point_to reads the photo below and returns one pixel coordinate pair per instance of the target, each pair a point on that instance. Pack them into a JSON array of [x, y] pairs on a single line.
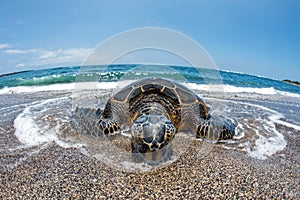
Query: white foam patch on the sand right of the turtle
[[269, 140]]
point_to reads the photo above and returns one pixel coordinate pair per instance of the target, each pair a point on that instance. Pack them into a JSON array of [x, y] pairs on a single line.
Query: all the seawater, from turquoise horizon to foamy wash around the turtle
[[37, 107]]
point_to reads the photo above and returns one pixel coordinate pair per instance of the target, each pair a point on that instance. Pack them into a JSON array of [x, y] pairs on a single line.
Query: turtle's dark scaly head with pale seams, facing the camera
[[151, 132]]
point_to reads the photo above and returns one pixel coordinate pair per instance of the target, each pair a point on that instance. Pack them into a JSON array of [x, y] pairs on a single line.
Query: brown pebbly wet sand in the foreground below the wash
[[60, 173]]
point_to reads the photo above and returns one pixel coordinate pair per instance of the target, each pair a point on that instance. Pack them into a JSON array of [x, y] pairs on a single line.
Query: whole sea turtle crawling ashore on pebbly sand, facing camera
[[155, 109]]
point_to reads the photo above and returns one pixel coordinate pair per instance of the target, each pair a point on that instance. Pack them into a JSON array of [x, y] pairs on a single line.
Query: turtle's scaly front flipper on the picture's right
[[215, 128]]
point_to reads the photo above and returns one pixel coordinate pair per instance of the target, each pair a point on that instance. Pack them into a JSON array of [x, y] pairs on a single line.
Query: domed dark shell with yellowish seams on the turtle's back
[[175, 92]]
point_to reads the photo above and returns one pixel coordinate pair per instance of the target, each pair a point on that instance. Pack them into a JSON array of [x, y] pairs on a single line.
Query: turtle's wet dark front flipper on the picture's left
[[90, 121]]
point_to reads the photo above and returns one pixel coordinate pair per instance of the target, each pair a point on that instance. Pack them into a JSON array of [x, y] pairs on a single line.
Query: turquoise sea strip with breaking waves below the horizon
[[115, 73]]
